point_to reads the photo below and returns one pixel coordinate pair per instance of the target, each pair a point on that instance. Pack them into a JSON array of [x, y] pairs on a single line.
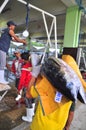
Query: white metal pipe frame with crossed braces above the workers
[[48, 32]]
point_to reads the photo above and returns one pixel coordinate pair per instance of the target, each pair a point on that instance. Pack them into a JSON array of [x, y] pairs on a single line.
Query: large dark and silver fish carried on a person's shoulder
[[64, 79]]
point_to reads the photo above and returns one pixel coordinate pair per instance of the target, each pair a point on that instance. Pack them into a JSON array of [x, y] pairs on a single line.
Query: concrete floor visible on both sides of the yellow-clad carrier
[[11, 113]]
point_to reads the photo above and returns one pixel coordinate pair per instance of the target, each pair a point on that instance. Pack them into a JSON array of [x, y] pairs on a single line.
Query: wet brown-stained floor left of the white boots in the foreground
[[10, 111]]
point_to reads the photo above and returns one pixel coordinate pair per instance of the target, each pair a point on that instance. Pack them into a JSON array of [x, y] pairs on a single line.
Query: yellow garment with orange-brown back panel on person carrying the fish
[[49, 114]]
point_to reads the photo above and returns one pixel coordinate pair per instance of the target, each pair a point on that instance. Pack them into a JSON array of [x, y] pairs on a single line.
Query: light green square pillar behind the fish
[[72, 27]]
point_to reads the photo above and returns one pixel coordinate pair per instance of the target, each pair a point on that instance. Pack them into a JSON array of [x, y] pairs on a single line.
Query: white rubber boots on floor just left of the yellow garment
[[29, 115]]
